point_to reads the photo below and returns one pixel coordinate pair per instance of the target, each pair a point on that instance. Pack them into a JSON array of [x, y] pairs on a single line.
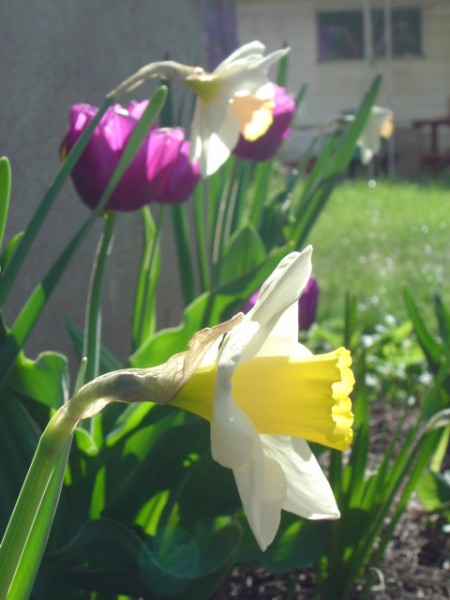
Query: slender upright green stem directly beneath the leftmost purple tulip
[[92, 339]]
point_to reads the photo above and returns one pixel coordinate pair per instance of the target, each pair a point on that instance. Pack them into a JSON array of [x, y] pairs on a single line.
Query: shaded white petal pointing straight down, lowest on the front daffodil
[[262, 488]]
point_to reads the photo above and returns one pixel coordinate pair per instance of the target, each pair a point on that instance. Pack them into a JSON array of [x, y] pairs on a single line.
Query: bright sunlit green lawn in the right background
[[375, 240]]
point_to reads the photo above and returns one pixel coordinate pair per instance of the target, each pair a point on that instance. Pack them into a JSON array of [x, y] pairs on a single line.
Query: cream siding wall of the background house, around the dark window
[[414, 87]]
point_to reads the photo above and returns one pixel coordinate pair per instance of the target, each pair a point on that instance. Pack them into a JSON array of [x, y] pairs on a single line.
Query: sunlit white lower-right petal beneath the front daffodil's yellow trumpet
[[308, 494]]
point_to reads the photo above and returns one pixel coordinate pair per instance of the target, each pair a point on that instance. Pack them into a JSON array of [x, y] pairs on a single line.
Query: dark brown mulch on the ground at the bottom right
[[416, 565]]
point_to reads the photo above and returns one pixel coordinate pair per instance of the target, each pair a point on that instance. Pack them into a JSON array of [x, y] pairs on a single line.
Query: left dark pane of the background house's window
[[340, 35]]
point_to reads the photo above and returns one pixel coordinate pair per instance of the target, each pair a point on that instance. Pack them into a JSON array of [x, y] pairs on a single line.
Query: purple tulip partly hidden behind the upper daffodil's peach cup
[[267, 145]]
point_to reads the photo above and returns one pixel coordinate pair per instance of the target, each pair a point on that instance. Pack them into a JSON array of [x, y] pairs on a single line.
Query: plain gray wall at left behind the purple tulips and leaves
[[54, 53]]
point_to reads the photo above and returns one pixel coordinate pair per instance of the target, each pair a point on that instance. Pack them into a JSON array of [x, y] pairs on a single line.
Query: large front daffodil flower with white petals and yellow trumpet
[[265, 394]]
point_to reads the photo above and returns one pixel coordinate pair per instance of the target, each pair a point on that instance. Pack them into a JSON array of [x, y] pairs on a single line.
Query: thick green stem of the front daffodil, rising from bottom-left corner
[[53, 441]]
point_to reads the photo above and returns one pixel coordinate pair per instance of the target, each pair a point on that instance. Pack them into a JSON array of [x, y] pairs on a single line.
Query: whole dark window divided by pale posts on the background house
[[340, 34]]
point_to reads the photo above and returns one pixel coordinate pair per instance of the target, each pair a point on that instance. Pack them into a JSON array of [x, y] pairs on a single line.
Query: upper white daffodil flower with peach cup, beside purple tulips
[[236, 98]]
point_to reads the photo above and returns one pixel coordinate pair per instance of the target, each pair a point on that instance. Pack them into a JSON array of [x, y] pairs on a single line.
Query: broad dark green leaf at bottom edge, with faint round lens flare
[[106, 557]]
